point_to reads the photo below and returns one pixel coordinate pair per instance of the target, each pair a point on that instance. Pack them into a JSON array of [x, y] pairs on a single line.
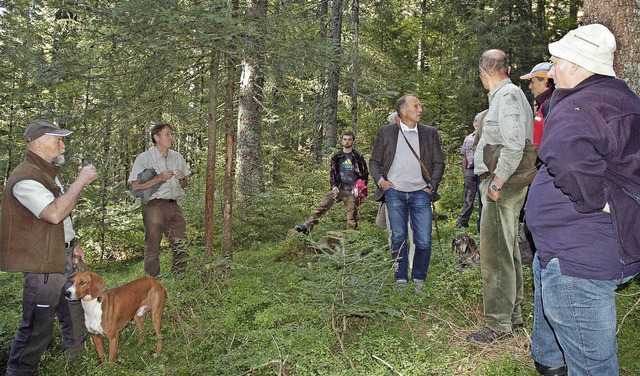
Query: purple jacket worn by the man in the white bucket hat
[[591, 155]]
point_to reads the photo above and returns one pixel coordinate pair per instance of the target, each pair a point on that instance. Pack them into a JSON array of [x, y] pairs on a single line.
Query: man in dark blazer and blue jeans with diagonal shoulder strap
[[407, 164]]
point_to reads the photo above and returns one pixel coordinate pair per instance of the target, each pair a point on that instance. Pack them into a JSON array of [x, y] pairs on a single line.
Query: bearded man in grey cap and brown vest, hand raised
[[37, 238]]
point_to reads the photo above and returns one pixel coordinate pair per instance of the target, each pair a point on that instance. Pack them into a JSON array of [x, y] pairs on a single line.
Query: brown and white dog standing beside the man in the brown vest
[[106, 312]]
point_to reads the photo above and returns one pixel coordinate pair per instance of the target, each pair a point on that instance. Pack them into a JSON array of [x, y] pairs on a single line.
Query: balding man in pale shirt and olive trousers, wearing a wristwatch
[[507, 130]]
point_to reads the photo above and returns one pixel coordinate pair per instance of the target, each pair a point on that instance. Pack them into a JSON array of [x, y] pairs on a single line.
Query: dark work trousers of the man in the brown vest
[[42, 299]]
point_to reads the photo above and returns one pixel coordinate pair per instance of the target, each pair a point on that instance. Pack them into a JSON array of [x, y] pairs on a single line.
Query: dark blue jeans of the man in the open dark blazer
[[401, 207]]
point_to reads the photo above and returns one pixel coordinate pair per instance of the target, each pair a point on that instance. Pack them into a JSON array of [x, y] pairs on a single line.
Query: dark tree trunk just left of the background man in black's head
[[334, 78]]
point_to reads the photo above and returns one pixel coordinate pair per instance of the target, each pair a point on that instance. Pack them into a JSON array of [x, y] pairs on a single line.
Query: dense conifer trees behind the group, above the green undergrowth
[[255, 89]]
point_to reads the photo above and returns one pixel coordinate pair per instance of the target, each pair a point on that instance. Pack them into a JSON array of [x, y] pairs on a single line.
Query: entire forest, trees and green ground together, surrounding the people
[[258, 92]]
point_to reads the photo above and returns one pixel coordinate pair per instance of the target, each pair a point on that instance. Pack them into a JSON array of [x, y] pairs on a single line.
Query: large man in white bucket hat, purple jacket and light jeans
[[584, 207]]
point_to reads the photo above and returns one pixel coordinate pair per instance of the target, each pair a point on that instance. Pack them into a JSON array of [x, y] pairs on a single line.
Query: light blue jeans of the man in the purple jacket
[[574, 321]]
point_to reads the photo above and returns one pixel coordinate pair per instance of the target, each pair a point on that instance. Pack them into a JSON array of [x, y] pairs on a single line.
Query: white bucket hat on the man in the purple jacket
[[590, 46]]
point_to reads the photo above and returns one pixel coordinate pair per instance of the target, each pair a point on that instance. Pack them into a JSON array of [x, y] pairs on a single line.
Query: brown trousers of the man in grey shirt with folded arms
[[163, 217]]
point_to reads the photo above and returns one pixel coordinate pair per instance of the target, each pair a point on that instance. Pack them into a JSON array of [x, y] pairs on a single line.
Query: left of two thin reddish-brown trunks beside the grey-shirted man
[[210, 199]]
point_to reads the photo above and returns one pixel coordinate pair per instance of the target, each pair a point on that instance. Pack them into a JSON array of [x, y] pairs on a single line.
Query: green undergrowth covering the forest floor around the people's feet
[[325, 304]]
